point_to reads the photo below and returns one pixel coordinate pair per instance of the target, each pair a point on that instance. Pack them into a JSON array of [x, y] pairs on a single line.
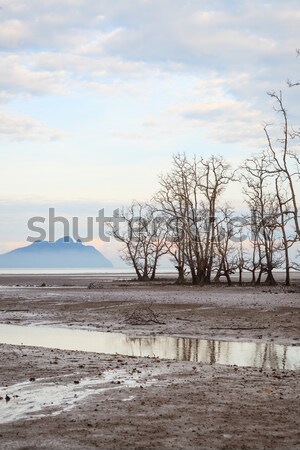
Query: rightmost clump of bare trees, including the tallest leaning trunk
[[270, 179]]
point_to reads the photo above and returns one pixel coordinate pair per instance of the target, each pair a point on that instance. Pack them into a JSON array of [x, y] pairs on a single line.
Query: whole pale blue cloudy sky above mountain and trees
[[96, 96]]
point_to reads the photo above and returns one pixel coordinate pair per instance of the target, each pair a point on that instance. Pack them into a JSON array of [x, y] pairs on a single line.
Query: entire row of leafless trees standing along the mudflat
[[189, 220]]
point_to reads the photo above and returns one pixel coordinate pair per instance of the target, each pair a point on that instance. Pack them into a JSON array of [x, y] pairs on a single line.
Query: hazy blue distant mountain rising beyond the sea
[[64, 253]]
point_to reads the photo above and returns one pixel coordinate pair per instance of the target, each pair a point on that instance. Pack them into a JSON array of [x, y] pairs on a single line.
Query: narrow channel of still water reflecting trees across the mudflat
[[243, 354]]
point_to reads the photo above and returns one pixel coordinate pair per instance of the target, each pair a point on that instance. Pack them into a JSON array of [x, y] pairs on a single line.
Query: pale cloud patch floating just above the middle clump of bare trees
[[223, 116]]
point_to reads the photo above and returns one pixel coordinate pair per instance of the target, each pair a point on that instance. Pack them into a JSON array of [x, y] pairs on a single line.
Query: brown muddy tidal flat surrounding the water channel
[[80, 400]]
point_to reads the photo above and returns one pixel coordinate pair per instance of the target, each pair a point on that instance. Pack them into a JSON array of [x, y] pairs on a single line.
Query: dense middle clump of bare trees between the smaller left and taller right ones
[[189, 199]]
